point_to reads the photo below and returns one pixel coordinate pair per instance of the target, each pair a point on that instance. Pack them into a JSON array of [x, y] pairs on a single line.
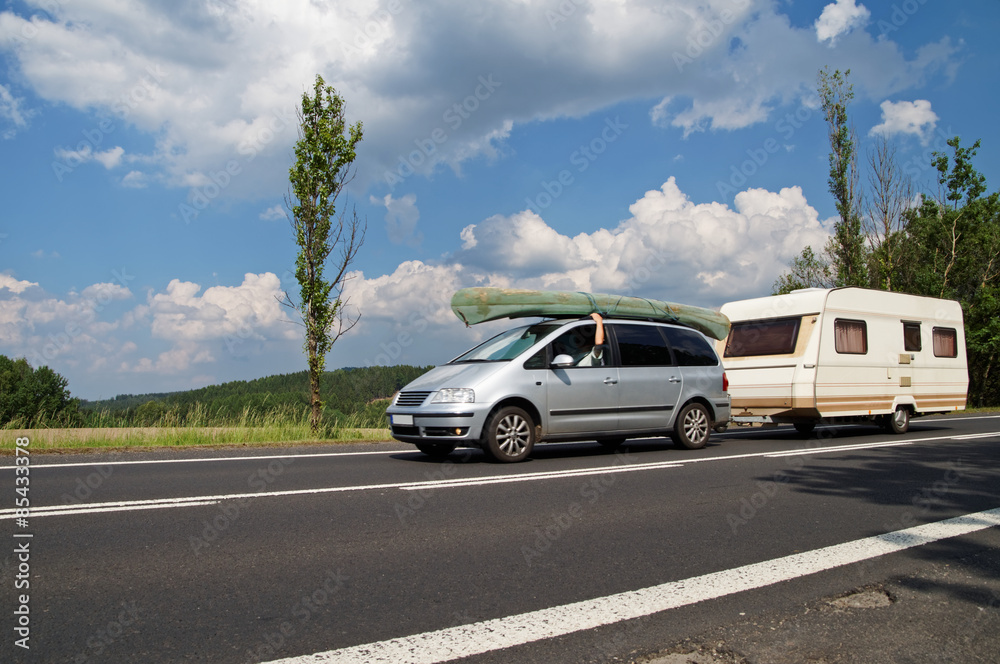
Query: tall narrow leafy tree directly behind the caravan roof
[[847, 251]]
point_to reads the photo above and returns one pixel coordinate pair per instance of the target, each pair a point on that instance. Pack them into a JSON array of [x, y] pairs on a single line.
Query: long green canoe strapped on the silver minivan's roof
[[478, 305]]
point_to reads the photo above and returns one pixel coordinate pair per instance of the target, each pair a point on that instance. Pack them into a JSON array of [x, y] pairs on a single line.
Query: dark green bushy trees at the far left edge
[[34, 397]]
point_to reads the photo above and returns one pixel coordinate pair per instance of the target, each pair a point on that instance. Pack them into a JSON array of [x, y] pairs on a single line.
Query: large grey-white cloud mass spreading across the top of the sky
[[213, 85]]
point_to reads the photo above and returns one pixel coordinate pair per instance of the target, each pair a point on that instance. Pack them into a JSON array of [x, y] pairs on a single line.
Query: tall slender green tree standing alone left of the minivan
[[324, 153]]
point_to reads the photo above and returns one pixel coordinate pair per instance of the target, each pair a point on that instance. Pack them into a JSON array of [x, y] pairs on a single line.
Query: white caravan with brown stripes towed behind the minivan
[[844, 353]]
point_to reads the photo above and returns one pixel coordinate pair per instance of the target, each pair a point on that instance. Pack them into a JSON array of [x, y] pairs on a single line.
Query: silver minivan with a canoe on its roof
[[549, 381]]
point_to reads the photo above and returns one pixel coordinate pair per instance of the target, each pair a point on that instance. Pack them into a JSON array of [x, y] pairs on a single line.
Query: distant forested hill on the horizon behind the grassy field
[[344, 392]]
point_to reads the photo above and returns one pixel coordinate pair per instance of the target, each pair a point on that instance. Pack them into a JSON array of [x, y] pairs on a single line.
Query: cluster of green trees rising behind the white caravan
[[945, 245]]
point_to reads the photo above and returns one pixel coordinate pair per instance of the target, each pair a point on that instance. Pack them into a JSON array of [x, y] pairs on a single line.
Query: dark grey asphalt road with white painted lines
[[249, 555]]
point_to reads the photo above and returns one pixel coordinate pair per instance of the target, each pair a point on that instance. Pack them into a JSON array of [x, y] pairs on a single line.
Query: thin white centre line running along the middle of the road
[[423, 485]]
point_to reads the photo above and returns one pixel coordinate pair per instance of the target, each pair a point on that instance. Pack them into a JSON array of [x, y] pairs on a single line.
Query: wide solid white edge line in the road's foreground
[[491, 635]]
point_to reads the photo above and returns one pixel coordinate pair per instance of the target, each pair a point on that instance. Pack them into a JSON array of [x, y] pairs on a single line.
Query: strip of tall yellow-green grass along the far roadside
[[139, 438]]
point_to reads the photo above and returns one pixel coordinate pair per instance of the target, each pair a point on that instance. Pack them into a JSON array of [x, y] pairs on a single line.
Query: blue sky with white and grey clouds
[[672, 149]]
